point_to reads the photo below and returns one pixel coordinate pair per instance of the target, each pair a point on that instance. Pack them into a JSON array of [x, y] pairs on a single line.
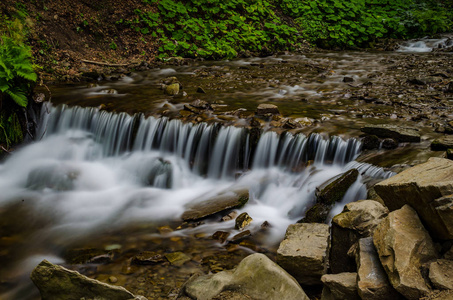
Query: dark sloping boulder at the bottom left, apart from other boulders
[[55, 283]]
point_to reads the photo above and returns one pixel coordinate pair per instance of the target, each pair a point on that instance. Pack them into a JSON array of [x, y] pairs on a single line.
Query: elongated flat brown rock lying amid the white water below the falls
[[224, 201]]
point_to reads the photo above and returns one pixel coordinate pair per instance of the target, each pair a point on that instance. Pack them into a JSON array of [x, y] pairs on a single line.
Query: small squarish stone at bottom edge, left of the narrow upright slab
[[341, 286]]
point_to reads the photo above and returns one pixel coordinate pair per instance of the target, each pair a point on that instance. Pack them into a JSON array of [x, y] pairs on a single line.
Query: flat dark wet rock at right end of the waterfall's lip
[[398, 133]]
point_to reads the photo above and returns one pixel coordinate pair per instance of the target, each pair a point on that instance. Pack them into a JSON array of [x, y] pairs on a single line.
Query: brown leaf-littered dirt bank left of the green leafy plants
[[64, 34]]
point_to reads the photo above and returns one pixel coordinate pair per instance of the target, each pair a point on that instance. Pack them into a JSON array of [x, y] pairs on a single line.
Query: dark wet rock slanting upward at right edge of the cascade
[[327, 194]]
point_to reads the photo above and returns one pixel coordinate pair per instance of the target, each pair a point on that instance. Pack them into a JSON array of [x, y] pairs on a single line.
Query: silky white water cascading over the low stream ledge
[[94, 170]]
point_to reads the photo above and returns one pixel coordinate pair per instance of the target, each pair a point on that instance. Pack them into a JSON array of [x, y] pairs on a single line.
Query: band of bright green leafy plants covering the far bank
[[222, 29]]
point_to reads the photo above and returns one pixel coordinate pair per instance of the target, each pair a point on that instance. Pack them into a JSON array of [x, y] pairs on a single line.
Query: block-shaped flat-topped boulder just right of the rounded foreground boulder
[[303, 252]]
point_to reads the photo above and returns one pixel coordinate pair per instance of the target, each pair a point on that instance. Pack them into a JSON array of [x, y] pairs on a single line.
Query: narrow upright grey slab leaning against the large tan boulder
[[372, 281]]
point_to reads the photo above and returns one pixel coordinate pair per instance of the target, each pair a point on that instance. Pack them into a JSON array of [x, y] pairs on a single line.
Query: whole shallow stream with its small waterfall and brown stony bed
[[116, 164]]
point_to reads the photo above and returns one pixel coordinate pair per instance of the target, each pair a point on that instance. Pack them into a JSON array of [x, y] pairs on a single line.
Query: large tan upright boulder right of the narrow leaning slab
[[404, 245]]
